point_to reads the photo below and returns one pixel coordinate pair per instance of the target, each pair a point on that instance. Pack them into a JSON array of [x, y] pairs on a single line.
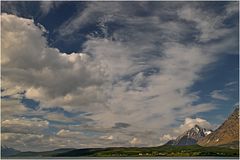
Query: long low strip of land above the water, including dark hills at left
[[165, 151]]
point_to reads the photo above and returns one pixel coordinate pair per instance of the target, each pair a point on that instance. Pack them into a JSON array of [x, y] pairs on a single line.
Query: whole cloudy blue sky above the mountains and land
[[110, 74]]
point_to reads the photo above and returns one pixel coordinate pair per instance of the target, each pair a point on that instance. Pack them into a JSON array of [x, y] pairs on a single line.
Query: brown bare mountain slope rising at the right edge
[[227, 135]]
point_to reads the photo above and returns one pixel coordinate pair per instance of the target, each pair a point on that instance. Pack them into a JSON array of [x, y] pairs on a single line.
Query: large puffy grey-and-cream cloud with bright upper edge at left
[[47, 75]]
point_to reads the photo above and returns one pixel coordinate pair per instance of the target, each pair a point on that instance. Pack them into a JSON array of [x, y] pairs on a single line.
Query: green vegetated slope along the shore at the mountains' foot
[[169, 151]]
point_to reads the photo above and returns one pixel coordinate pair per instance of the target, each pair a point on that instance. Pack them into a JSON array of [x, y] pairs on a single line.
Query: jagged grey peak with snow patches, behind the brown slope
[[190, 137]]
